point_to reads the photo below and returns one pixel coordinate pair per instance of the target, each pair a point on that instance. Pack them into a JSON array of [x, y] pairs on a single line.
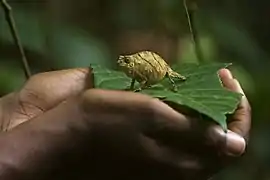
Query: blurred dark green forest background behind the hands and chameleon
[[59, 34]]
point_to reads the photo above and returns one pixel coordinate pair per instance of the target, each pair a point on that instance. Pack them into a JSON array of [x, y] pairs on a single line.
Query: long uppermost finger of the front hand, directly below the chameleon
[[162, 116]]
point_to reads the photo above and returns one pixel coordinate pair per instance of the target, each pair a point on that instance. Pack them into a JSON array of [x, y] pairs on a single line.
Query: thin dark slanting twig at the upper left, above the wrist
[[10, 20]]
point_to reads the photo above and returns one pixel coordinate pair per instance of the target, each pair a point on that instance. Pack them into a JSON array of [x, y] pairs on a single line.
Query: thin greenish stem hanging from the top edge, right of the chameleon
[[194, 35]]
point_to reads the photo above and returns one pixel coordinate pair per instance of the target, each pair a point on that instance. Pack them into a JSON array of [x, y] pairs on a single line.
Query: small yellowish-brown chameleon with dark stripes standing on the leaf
[[146, 67]]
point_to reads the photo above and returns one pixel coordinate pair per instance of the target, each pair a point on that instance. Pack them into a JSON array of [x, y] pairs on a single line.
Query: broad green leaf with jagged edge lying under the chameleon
[[202, 91]]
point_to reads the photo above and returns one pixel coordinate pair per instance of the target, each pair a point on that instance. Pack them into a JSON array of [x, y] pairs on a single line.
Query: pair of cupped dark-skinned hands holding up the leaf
[[58, 127]]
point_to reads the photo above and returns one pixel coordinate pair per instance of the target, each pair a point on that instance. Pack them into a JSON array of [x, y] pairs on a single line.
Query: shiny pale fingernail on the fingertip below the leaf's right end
[[235, 145]]
